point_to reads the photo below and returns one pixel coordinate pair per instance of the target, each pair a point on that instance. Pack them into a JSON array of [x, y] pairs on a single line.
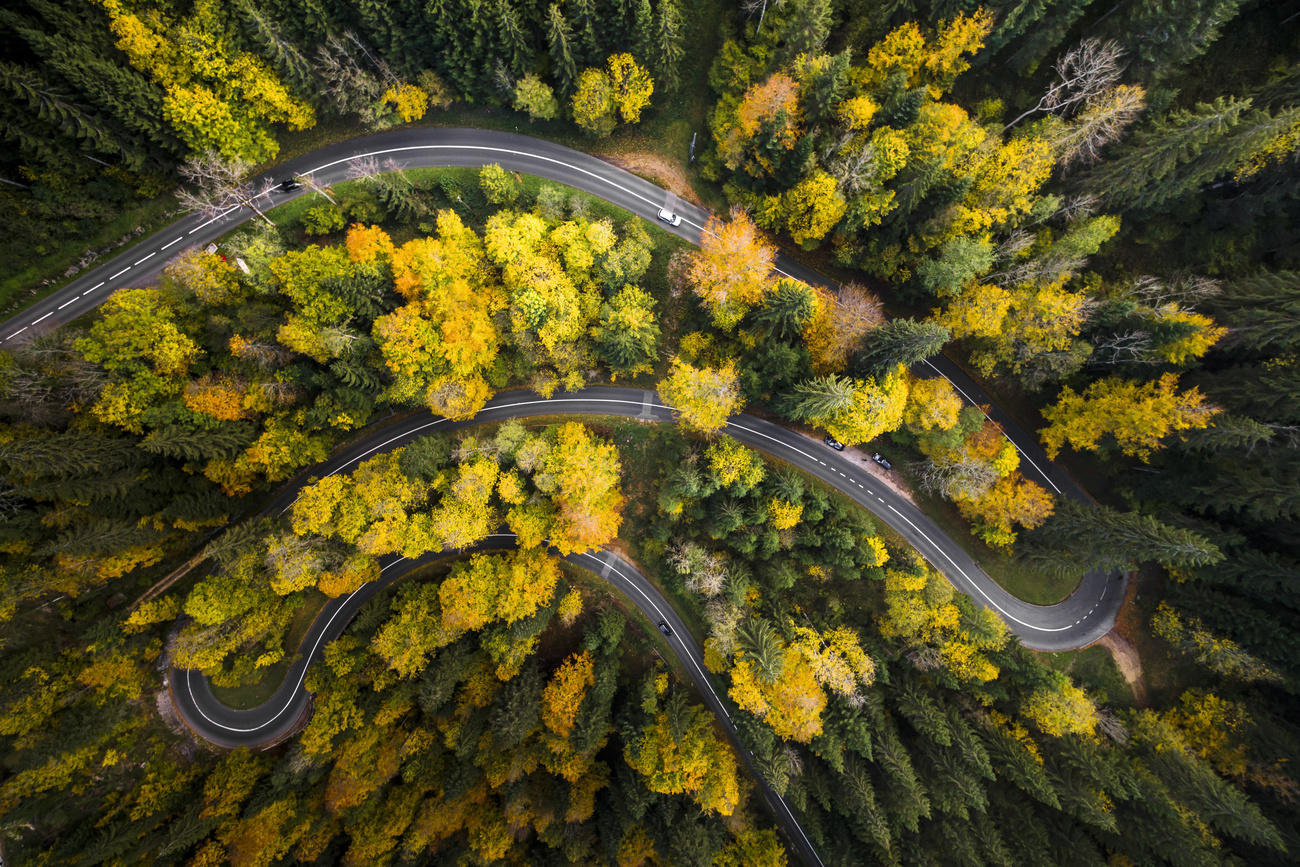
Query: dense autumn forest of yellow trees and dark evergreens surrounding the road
[[1093, 207]]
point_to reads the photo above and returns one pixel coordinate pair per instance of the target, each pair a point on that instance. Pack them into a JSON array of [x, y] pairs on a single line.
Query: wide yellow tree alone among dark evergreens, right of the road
[[1138, 415]]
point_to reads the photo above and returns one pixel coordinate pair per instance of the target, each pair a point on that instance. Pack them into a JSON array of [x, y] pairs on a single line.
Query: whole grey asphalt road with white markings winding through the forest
[[1085, 617]]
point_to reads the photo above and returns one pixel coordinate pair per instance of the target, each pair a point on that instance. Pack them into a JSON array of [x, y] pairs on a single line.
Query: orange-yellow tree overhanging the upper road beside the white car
[[733, 268]]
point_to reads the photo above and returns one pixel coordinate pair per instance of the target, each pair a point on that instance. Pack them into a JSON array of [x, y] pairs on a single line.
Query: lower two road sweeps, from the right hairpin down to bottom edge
[[1080, 621]]
